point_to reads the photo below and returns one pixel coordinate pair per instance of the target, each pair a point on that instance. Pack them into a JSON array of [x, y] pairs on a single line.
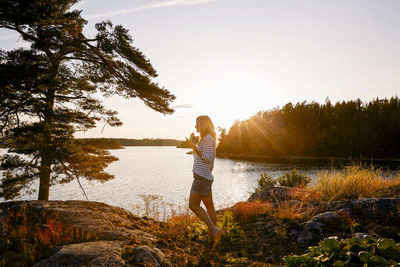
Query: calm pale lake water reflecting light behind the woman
[[166, 172]]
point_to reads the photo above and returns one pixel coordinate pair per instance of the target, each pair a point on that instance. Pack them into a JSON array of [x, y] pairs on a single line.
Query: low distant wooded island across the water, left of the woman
[[118, 143]]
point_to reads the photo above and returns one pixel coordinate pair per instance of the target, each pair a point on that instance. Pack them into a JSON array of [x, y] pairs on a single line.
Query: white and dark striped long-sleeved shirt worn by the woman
[[204, 165]]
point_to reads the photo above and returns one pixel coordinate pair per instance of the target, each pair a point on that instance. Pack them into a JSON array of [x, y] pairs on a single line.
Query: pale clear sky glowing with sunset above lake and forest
[[230, 59]]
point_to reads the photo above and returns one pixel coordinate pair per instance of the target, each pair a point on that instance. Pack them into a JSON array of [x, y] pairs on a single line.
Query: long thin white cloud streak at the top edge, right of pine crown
[[153, 5]]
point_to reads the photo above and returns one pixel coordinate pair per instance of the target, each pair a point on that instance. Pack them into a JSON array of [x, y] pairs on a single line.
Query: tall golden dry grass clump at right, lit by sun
[[354, 182]]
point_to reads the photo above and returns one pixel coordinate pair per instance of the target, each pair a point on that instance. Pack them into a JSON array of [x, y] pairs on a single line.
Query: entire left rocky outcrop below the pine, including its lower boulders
[[110, 230]]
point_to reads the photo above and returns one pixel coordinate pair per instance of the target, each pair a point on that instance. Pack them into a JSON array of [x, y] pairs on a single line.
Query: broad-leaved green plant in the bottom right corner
[[350, 252]]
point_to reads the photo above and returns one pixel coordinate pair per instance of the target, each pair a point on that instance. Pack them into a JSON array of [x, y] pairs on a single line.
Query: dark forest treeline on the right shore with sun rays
[[347, 129]]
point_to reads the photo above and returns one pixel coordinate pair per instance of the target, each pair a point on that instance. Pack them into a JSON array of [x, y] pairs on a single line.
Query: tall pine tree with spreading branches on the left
[[48, 93]]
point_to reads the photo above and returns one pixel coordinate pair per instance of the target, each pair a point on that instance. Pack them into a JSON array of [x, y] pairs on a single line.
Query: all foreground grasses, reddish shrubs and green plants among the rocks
[[255, 233]]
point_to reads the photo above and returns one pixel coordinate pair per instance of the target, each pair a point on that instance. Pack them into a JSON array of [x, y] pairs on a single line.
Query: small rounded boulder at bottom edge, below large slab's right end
[[146, 256]]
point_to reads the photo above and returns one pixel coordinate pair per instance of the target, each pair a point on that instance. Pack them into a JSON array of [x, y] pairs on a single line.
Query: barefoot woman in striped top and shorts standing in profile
[[204, 157]]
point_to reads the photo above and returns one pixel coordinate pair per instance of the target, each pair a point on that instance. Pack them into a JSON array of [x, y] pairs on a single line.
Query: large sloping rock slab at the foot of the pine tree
[[104, 221]]
